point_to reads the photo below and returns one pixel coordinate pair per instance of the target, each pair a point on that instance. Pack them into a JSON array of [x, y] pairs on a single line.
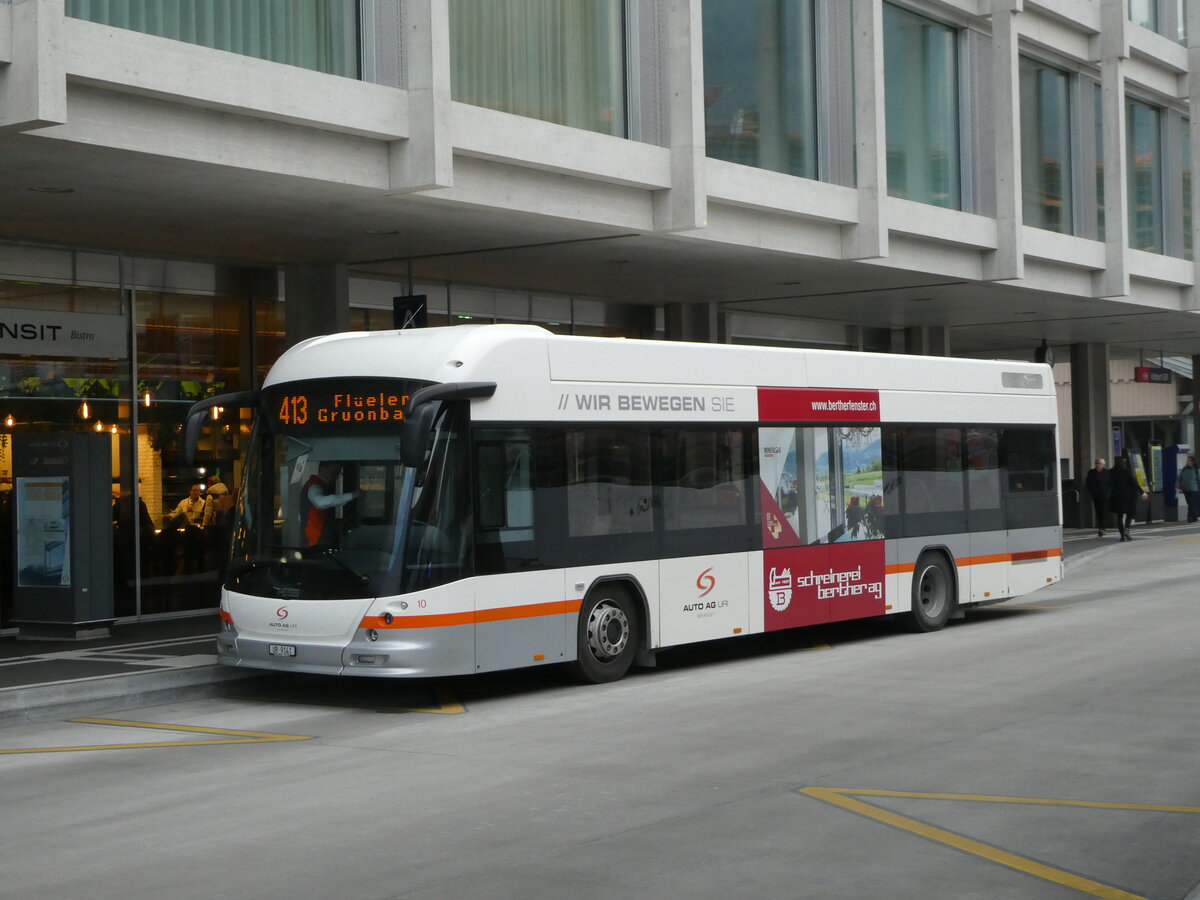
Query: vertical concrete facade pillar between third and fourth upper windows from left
[[868, 239]]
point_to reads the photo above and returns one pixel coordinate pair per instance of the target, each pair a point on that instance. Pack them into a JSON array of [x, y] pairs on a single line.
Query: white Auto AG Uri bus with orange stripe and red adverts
[[506, 497]]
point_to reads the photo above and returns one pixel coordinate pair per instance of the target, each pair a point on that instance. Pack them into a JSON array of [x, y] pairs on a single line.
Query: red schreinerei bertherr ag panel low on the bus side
[[829, 583]]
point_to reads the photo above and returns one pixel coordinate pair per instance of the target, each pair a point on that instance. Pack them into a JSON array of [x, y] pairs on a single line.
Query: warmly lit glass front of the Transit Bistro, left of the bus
[[124, 362]]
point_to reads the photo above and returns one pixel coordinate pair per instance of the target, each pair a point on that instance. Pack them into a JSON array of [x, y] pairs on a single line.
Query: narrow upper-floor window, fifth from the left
[[1046, 148]]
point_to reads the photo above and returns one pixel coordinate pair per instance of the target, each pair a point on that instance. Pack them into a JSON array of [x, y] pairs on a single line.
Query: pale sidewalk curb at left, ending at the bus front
[[116, 692]]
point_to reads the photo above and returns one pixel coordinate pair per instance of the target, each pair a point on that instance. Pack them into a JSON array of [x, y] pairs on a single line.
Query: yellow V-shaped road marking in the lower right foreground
[[843, 799]]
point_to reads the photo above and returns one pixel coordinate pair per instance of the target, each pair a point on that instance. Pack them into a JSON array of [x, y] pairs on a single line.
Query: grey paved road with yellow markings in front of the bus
[[1041, 749]]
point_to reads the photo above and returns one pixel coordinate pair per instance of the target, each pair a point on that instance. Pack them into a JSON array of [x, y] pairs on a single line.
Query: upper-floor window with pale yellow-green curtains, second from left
[[562, 63]]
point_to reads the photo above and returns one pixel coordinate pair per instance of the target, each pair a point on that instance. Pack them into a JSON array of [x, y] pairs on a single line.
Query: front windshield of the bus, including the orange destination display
[[331, 512]]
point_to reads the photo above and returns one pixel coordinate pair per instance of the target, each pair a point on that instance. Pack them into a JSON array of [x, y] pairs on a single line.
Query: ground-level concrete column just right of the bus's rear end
[[1093, 422]]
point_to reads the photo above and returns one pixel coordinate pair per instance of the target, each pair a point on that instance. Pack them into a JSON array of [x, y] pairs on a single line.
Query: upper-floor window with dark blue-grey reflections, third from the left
[[760, 85]]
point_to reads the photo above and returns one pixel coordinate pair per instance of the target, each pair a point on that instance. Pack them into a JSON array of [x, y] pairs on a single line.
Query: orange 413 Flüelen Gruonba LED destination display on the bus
[[331, 406]]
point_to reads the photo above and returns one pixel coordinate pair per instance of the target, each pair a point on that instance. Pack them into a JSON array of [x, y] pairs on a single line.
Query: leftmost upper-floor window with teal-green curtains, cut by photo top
[[322, 35]]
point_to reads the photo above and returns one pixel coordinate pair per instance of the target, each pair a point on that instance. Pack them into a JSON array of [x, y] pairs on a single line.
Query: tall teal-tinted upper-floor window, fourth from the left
[[921, 61]]
